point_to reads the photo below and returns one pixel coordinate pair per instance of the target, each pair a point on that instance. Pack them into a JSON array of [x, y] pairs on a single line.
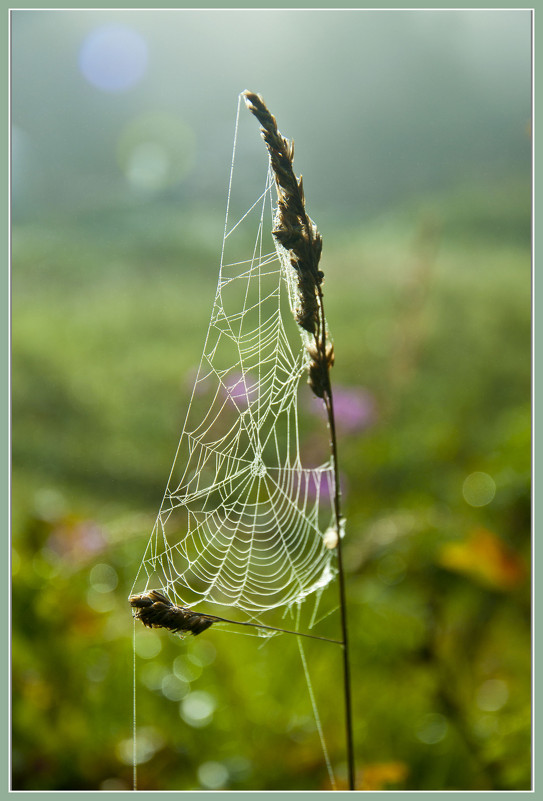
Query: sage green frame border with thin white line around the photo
[[5, 402]]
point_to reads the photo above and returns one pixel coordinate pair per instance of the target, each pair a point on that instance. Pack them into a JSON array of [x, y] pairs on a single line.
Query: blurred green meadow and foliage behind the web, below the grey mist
[[430, 311]]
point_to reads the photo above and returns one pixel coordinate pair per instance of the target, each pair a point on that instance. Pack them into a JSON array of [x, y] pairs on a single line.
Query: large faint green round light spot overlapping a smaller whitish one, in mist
[[155, 151]]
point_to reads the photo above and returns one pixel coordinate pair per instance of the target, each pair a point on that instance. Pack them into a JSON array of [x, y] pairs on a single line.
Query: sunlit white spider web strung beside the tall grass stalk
[[242, 520]]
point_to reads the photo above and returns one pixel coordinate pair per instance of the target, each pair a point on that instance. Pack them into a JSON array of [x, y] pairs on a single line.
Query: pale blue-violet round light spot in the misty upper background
[[113, 57]]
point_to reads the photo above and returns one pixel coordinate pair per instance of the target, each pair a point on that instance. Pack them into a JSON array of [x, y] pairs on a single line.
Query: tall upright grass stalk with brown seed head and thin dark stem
[[297, 235]]
